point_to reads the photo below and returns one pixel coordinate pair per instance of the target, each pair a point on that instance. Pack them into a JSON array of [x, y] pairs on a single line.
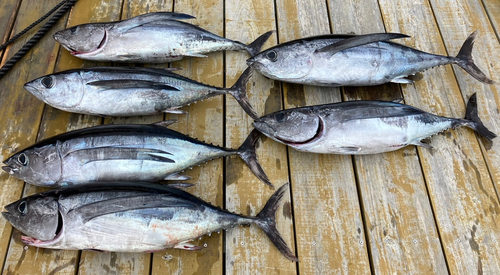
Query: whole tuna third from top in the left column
[[120, 153]]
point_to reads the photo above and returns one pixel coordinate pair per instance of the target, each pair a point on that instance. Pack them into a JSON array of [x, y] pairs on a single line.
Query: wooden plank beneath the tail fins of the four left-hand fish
[[248, 250]]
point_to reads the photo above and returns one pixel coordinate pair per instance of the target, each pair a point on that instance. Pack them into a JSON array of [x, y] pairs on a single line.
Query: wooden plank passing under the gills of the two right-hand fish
[[330, 233]]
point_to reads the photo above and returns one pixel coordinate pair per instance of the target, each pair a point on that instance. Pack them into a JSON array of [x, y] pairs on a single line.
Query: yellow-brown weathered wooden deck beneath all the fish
[[413, 211]]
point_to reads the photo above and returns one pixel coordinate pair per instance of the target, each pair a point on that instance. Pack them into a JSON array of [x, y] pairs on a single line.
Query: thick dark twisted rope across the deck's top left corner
[[41, 32]]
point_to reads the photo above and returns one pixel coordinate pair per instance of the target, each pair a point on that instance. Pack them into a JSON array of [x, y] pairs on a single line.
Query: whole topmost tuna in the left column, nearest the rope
[[149, 38]]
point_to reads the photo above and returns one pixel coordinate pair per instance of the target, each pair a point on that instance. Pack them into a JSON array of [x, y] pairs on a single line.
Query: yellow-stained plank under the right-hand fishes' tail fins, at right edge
[[471, 16]]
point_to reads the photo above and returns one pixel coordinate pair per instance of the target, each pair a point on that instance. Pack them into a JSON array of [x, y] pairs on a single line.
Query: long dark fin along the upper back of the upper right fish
[[359, 40]]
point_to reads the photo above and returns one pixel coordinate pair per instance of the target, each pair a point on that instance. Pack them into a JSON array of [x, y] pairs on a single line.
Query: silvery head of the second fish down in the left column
[[61, 90]]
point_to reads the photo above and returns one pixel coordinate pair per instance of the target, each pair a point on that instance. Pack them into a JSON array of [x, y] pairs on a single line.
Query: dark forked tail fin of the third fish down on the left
[[248, 155]]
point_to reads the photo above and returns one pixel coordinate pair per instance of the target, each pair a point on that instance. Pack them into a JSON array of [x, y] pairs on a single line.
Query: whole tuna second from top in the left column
[[128, 91]]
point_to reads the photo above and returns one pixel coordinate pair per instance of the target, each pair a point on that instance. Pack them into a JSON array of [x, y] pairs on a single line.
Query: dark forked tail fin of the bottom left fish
[[266, 220]]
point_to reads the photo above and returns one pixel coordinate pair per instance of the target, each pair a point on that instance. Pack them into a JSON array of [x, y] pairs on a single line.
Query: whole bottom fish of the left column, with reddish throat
[[129, 217]]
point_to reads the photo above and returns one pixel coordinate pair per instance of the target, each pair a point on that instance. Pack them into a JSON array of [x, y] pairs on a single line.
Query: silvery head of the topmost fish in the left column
[[83, 39]]
